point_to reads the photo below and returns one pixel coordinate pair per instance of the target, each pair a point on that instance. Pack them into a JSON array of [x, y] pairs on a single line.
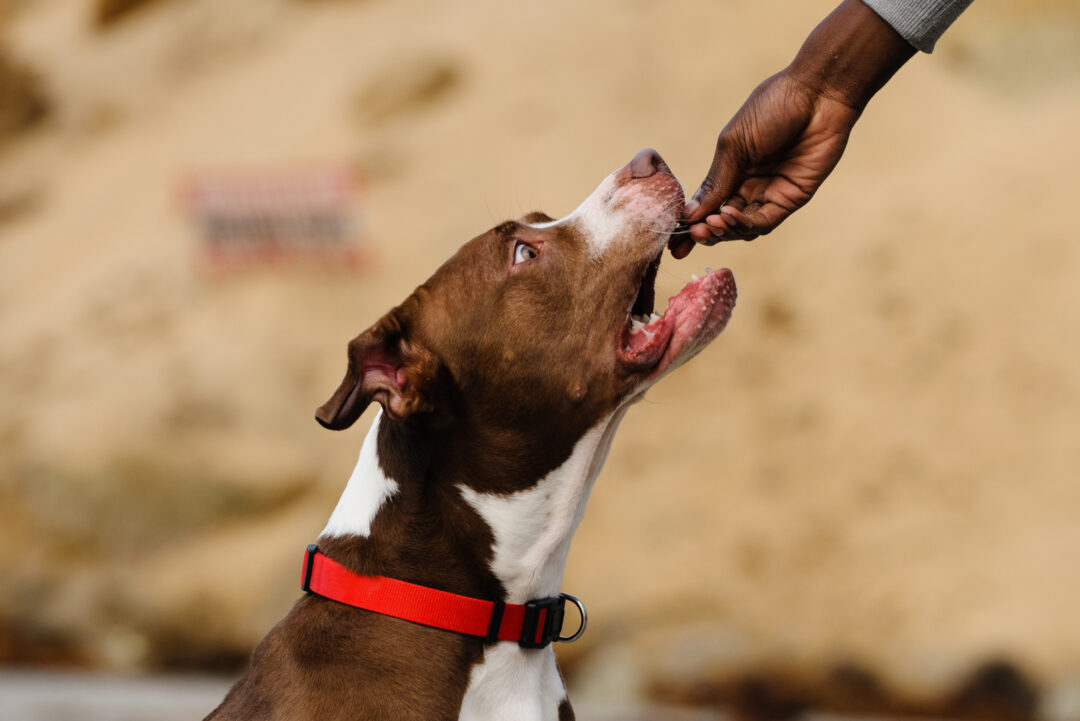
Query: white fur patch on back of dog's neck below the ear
[[368, 489]]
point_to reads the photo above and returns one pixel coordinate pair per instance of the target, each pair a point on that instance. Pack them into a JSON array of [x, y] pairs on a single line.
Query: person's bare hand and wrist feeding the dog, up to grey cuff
[[790, 134]]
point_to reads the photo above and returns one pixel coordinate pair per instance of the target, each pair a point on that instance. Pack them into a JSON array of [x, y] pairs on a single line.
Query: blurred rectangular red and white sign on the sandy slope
[[298, 217]]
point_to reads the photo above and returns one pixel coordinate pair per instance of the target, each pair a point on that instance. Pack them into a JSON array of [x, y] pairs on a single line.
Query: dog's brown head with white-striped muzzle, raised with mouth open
[[542, 327]]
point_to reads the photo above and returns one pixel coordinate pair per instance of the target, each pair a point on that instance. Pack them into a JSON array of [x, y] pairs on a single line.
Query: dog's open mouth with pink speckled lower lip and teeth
[[696, 316]]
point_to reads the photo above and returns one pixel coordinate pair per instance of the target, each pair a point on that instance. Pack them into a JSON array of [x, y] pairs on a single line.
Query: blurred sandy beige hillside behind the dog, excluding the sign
[[866, 496]]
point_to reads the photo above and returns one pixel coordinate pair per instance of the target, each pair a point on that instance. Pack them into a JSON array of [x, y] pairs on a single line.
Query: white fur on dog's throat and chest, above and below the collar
[[533, 530]]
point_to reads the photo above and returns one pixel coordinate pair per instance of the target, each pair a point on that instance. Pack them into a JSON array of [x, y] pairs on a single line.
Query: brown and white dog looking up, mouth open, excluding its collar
[[503, 380]]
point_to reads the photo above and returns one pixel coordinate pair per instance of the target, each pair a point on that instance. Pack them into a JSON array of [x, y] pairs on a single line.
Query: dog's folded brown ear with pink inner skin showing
[[386, 368]]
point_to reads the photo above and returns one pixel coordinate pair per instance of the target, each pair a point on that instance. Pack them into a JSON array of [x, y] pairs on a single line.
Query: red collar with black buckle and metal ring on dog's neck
[[533, 625]]
